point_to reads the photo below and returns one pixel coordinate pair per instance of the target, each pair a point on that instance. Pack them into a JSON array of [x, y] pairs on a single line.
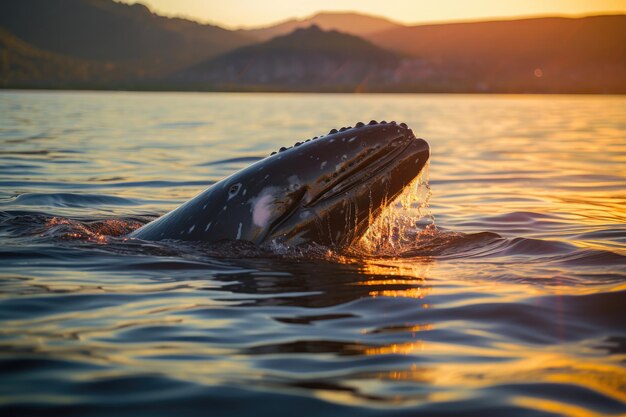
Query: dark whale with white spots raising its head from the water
[[326, 190]]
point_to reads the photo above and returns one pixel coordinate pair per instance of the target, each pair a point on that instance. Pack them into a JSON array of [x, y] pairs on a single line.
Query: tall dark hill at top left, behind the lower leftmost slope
[[106, 31]]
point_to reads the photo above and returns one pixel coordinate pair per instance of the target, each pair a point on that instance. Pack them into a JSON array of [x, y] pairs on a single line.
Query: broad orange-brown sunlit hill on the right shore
[[529, 55]]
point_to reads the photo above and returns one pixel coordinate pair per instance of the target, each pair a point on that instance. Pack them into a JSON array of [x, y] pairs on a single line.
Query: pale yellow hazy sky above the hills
[[247, 13]]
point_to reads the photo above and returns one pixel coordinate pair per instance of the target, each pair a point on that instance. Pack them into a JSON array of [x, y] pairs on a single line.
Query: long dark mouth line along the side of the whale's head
[[369, 168]]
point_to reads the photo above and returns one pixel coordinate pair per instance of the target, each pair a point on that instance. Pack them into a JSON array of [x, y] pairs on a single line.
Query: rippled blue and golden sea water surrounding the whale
[[508, 297]]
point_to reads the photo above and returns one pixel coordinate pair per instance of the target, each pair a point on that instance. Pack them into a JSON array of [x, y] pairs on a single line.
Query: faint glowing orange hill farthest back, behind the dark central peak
[[347, 22]]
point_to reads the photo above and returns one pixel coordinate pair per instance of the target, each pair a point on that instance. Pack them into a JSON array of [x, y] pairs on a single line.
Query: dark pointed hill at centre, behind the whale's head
[[305, 60]]
